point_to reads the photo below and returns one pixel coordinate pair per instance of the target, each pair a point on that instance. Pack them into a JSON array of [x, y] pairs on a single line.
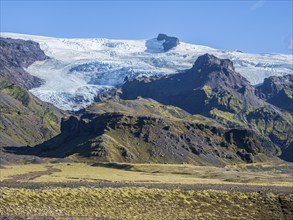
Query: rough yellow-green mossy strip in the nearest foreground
[[141, 203]]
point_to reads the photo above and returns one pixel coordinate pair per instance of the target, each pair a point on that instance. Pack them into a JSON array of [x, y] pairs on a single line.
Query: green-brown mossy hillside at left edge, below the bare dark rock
[[25, 120]]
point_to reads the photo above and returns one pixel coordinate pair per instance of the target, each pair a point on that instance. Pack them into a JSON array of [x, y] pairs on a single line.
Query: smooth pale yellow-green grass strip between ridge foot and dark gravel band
[[253, 174]]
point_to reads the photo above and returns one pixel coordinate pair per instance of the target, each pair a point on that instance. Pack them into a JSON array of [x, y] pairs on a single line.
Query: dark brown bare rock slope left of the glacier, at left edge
[[15, 55]]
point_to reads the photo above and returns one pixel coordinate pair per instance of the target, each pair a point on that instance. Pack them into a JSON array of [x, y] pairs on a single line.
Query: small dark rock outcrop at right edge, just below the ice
[[278, 90]]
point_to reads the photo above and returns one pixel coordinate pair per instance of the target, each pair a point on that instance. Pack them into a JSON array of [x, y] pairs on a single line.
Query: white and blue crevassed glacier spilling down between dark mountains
[[80, 68]]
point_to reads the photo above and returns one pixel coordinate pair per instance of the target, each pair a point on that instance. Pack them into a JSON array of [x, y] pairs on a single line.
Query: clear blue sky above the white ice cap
[[251, 26]]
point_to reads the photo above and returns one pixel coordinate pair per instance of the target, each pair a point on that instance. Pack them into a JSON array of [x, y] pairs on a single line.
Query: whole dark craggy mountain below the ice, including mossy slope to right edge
[[213, 88]]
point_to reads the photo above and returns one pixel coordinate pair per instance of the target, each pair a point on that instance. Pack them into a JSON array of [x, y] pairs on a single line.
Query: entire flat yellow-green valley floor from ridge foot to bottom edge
[[146, 191]]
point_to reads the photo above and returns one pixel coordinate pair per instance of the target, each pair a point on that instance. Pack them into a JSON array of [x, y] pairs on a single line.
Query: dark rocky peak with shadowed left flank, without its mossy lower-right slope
[[210, 83]]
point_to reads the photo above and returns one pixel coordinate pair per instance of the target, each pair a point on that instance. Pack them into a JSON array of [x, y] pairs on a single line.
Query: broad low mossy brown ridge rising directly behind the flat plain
[[157, 134]]
